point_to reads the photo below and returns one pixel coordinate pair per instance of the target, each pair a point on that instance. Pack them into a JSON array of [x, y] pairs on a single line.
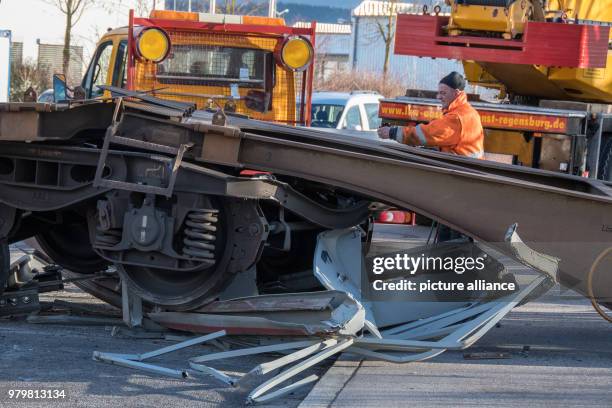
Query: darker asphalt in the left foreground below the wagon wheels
[[59, 357]]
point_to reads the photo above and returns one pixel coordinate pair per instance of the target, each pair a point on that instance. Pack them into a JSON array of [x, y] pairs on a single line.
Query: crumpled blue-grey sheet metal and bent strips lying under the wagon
[[324, 324]]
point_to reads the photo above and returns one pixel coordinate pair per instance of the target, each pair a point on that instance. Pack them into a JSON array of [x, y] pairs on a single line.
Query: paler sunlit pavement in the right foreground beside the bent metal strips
[[569, 363]]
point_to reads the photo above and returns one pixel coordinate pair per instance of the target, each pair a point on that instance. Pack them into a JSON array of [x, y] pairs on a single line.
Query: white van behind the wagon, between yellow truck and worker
[[357, 110]]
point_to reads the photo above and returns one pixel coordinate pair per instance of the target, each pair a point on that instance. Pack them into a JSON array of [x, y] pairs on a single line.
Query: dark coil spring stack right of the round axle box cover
[[200, 235]]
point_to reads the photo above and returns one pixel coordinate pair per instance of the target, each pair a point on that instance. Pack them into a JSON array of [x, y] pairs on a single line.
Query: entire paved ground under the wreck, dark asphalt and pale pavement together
[[569, 363]]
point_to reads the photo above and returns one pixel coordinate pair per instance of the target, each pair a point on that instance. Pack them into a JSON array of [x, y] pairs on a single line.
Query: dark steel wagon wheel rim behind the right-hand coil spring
[[229, 232]]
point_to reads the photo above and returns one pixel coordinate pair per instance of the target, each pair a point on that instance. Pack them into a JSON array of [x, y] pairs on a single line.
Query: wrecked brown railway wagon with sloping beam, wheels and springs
[[181, 201]]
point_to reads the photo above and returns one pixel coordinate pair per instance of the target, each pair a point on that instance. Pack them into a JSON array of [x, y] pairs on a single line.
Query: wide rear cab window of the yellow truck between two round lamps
[[214, 65]]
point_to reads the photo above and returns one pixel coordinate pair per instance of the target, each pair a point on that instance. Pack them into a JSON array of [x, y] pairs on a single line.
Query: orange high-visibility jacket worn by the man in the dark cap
[[459, 131]]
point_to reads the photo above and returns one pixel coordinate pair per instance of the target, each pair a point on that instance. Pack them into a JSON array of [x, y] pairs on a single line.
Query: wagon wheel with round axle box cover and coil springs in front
[[181, 252]]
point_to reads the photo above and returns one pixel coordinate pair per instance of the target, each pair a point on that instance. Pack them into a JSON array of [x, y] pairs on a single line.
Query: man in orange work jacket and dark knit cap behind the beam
[[458, 131]]
